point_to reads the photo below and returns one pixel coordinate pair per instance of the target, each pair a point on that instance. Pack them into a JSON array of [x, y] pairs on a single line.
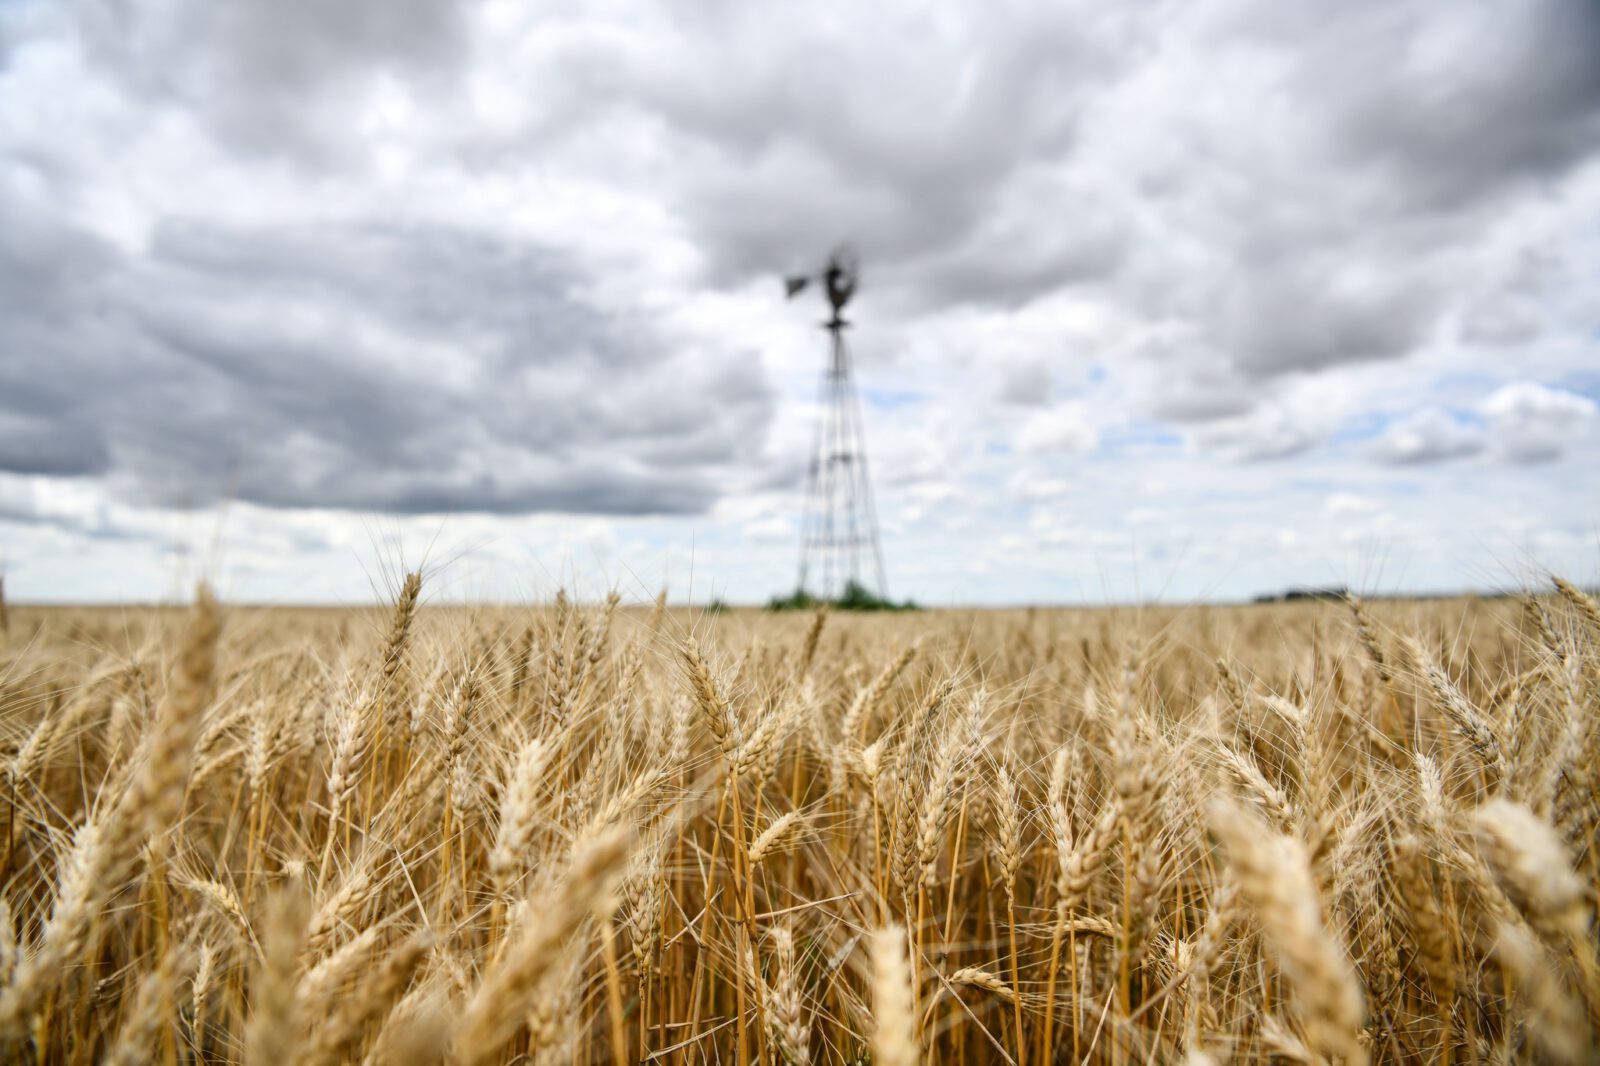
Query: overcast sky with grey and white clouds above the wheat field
[[1175, 300]]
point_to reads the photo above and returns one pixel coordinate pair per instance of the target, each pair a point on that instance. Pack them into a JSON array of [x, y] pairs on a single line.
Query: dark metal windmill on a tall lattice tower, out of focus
[[839, 534]]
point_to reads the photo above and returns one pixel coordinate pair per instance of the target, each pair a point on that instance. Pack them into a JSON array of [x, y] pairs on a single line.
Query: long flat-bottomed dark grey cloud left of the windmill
[[383, 367]]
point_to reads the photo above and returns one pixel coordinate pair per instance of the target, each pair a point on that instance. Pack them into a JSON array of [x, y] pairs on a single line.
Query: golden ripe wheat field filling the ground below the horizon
[[586, 833]]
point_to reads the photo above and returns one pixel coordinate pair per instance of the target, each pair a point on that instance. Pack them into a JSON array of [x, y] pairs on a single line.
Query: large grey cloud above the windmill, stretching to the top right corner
[[1335, 194]]
